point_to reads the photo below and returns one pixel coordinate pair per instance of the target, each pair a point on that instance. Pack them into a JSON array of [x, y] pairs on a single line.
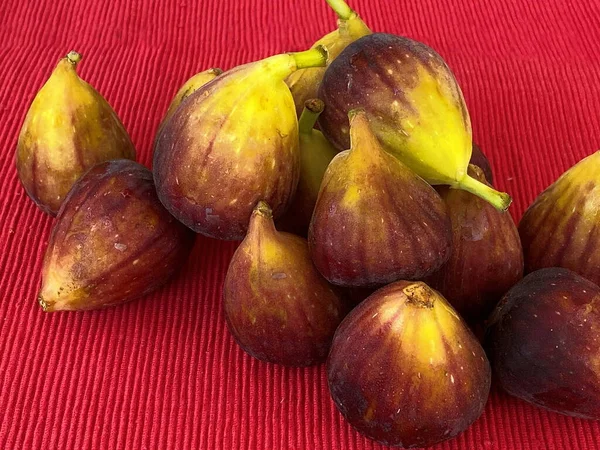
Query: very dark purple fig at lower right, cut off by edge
[[543, 342]]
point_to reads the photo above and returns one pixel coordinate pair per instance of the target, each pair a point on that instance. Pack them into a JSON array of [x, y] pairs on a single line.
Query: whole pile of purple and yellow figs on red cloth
[[372, 237]]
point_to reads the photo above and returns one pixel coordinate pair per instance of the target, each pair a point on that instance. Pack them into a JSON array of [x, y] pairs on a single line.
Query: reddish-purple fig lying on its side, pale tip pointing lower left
[[112, 241]]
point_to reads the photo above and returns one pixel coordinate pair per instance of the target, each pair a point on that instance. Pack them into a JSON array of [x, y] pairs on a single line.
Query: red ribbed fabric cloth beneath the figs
[[163, 372]]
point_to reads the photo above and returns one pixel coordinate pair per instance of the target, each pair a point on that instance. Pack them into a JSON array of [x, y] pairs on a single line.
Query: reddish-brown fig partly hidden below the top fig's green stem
[[486, 259]]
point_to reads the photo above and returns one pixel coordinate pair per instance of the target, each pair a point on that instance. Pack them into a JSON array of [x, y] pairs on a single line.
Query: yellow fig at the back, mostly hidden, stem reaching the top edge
[[304, 83]]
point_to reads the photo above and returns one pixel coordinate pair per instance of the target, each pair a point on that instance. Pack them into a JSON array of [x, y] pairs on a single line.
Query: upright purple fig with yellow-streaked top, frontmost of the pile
[[405, 370]]
